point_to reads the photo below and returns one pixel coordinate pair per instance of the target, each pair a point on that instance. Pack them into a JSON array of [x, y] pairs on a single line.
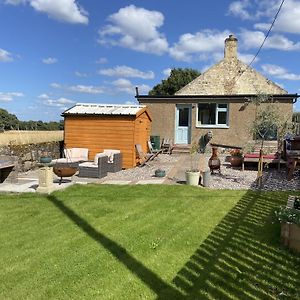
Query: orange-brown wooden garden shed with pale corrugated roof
[[102, 126]]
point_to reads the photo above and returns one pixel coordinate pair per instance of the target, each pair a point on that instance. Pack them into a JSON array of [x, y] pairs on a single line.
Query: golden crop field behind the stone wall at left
[[21, 137]]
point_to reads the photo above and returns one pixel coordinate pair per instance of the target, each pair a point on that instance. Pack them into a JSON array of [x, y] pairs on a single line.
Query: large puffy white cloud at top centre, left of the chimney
[[135, 28]]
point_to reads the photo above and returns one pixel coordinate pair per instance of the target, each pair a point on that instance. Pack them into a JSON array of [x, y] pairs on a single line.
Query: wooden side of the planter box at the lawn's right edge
[[290, 236]]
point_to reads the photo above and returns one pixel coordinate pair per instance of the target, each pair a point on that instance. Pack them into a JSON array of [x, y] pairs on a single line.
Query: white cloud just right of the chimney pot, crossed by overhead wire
[[253, 39]]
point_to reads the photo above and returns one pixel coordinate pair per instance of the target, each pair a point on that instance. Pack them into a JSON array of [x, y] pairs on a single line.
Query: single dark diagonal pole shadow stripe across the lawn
[[155, 283]]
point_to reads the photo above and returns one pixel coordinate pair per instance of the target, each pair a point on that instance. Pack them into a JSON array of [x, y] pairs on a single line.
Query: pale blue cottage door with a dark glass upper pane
[[183, 124]]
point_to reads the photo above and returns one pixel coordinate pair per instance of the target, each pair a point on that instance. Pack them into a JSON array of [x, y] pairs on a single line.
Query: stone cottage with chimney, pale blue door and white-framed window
[[219, 100]]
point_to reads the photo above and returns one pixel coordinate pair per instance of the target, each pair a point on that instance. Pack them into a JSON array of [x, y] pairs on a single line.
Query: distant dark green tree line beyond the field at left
[[10, 121]]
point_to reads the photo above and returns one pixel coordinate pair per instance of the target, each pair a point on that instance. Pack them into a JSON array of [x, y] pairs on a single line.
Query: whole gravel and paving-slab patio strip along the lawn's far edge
[[175, 166]]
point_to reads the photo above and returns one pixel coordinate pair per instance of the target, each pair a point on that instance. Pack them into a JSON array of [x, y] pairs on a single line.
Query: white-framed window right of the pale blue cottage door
[[212, 114]]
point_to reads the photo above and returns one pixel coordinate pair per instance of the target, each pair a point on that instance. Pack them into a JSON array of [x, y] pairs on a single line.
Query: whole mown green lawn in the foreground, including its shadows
[[144, 242]]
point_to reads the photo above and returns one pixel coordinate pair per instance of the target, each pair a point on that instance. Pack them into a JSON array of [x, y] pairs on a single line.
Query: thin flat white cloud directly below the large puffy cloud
[[125, 71]]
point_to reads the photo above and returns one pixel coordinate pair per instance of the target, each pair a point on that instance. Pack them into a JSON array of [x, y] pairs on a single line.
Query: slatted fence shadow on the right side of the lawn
[[242, 258]]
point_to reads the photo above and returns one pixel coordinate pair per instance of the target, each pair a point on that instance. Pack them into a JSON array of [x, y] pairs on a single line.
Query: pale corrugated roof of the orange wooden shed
[[104, 109]]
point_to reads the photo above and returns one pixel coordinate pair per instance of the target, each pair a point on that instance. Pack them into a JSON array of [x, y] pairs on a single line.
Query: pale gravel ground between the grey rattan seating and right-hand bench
[[229, 178]]
